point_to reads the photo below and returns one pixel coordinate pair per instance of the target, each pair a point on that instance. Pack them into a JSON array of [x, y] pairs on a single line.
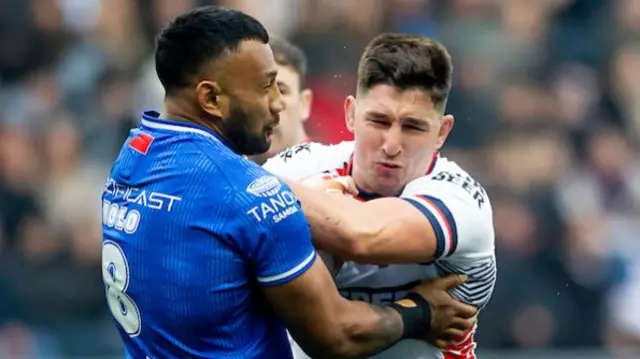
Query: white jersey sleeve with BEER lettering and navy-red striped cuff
[[459, 210]]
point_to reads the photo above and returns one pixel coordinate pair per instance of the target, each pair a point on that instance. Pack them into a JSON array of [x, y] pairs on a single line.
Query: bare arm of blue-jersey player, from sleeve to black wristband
[[326, 325]]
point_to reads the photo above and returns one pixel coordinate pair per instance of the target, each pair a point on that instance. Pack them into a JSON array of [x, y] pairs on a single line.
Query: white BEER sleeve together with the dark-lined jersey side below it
[[460, 213]]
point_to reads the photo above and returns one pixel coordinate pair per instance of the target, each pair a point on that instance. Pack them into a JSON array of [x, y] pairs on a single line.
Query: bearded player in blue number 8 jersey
[[207, 255]]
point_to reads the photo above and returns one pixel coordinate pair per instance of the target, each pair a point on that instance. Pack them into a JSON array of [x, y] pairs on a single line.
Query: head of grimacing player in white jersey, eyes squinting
[[397, 116]]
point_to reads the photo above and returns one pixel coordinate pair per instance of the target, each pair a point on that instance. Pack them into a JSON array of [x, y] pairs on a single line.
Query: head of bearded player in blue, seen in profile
[[216, 67]]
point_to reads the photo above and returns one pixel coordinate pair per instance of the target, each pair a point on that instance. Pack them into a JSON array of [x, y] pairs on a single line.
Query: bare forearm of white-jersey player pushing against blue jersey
[[382, 231]]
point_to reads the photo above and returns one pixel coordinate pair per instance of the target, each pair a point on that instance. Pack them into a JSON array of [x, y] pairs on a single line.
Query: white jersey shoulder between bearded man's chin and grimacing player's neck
[[310, 158]]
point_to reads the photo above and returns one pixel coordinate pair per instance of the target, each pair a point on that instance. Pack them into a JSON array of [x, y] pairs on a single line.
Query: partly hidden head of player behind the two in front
[[292, 69]]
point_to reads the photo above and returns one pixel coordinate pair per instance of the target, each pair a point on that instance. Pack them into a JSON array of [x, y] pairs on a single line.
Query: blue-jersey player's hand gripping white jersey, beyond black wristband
[[450, 318]]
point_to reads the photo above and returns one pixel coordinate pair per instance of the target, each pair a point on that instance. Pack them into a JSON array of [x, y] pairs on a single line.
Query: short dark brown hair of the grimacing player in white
[[407, 61]]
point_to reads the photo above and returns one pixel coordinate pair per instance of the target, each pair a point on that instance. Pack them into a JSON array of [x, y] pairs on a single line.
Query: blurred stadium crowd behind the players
[[547, 101]]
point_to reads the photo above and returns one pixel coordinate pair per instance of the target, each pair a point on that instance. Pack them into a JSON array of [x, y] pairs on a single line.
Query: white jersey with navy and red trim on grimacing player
[[460, 212]]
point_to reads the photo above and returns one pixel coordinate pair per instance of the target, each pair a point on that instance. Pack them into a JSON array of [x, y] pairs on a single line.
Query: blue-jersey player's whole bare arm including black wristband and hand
[[326, 325]]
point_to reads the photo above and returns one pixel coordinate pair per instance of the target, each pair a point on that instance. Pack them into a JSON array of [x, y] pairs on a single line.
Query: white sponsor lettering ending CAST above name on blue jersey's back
[[145, 198]]
